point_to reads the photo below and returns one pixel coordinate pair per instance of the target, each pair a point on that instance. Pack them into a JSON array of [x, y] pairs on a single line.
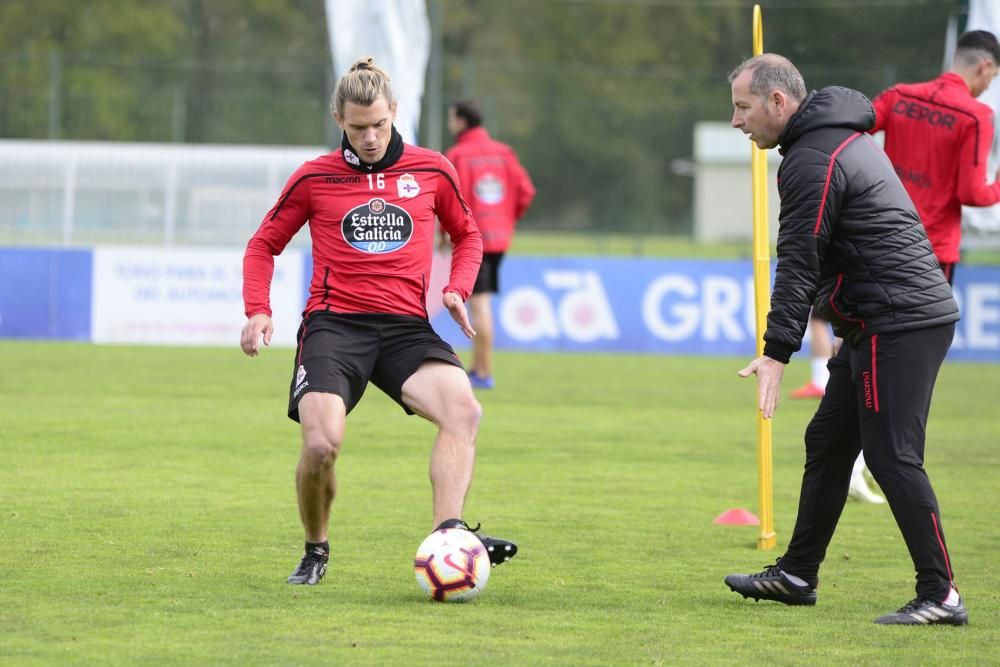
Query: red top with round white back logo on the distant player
[[494, 183]]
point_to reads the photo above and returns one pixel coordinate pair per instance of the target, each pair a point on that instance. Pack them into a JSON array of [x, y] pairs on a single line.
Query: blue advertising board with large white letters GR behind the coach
[[662, 306]]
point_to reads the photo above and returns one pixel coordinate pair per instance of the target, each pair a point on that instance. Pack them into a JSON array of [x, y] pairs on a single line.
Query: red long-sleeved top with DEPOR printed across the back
[[938, 138]]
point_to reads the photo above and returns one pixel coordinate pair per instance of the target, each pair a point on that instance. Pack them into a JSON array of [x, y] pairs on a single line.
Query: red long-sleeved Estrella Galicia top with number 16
[[372, 235]]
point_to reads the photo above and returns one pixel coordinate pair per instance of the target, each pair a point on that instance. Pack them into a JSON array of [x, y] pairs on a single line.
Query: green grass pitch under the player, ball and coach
[[147, 516]]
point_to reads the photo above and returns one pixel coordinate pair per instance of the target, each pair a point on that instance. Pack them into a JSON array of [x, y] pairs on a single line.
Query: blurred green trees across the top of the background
[[599, 97]]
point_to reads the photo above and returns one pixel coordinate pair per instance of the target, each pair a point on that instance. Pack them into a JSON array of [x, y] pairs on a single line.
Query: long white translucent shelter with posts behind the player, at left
[[84, 193]]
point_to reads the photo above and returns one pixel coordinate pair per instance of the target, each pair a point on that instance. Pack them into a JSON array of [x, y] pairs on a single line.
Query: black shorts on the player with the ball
[[339, 354]]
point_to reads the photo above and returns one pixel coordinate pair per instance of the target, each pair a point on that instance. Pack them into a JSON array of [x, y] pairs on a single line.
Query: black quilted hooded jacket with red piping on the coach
[[850, 242]]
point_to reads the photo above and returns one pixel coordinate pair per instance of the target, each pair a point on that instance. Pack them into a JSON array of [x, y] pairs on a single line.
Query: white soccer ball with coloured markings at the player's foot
[[452, 565]]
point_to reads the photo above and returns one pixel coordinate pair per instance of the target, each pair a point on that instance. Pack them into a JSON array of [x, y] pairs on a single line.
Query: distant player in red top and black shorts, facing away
[[499, 191]]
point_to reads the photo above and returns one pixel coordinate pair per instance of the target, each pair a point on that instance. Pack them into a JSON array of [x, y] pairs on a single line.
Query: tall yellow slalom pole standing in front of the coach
[[762, 304]]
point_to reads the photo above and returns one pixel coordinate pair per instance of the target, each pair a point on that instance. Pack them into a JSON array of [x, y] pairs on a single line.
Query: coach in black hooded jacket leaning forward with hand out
[[851, 245]]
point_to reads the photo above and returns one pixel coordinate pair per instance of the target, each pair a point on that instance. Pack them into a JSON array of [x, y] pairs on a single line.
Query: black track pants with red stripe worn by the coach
[[877, 399]]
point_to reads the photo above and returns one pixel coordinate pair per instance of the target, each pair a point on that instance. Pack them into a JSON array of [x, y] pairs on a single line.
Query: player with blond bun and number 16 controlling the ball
[[371, 208]]
